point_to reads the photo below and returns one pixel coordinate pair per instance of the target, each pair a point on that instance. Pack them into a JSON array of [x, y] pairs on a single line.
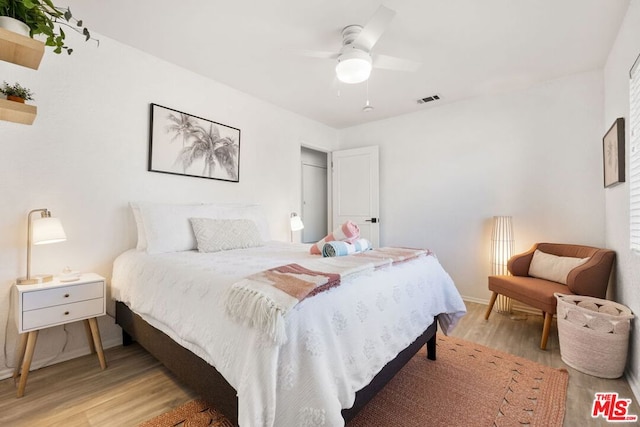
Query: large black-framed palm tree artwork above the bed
[[183, 144]]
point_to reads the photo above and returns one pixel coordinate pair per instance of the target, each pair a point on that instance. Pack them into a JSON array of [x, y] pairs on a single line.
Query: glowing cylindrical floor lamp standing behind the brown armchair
[[501, 251]]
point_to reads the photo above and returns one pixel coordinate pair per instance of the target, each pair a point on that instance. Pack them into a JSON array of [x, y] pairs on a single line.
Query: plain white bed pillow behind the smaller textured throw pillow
[[165, 227]]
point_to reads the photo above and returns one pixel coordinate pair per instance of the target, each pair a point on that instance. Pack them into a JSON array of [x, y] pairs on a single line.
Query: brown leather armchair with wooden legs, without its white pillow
[[590, 279]]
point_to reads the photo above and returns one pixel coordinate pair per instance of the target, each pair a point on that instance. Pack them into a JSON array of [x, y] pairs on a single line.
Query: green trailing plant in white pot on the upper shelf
[[43, 17]]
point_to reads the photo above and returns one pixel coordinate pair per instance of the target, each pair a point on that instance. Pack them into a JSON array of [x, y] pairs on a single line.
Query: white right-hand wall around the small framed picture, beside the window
[[616, 84]]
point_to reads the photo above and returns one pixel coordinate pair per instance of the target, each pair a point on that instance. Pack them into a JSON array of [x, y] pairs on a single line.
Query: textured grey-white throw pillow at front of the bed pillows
[[214, 235]]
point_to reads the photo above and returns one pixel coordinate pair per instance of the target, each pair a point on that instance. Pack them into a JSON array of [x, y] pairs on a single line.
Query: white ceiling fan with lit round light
[[355, 59]]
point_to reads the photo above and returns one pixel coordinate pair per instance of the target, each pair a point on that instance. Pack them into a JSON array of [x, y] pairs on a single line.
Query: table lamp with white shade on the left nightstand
[[41, 231]]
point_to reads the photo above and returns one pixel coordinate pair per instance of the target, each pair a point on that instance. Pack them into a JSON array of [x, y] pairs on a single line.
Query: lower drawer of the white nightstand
[[50, 316]]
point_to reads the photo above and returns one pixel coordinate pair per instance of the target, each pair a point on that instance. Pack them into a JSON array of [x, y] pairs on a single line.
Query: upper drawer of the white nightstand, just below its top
[[61, 295]]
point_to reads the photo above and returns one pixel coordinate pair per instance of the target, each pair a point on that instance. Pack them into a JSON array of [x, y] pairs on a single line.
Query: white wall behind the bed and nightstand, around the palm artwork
[[85, 158]]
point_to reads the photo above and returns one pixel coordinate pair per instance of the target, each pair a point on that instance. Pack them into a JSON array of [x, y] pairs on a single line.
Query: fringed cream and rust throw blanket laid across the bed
[[262, 300]]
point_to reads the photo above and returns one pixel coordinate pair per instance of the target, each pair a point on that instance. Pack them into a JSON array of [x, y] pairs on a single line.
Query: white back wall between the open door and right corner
[[533, 154]]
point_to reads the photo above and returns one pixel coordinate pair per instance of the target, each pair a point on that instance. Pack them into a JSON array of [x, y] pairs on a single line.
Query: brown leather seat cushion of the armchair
[[537, 293]]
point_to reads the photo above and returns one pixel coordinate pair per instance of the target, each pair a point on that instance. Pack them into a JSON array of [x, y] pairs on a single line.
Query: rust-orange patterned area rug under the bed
[[468, 384]]
